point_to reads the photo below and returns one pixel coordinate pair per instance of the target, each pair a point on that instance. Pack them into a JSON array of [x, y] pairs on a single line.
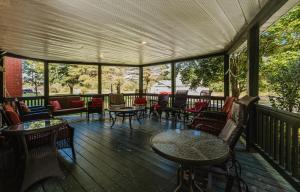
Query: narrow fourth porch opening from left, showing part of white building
[[157, 78]]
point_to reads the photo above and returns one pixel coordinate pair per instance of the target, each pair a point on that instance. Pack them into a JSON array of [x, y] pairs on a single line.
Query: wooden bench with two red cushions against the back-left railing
[[67, 104]]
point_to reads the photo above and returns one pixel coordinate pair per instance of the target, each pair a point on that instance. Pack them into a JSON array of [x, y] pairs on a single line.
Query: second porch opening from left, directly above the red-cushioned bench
[[73, 79]]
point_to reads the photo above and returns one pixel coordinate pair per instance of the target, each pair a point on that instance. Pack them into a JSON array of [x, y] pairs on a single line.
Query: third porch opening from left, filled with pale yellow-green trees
[[126, 79]]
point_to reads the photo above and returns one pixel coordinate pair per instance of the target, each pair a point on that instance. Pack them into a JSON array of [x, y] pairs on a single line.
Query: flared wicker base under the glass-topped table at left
[[39, 152]]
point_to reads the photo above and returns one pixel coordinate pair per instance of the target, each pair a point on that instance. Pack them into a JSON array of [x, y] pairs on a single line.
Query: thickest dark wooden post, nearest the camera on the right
[[253, 80]]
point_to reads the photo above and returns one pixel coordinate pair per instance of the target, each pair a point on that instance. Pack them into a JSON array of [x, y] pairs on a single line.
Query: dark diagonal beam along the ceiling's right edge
[[265, 13]]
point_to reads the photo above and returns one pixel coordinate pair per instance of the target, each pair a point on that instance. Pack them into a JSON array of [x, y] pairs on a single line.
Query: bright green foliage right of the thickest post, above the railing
[[279, 70]]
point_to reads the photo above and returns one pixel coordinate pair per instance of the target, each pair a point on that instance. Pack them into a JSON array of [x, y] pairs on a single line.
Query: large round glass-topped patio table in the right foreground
[[190, 148]]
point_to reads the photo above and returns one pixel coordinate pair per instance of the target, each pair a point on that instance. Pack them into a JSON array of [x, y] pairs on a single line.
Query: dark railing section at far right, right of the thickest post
[[276, 136]]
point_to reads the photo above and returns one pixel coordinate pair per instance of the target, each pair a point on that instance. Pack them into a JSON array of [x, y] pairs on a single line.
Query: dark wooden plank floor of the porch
[[118, 159]]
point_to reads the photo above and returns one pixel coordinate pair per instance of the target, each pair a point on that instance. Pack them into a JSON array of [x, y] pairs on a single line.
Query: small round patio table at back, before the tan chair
[[125, 112]]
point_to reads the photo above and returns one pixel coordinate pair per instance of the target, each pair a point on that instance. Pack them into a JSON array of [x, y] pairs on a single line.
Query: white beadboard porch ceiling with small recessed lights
[[122, 31]]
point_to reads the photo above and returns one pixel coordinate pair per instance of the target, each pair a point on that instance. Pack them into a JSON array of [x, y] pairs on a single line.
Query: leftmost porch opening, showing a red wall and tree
[[23, 77]]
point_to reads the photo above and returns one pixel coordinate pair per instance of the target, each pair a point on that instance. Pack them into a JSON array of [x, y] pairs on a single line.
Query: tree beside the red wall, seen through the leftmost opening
[[33, 74]]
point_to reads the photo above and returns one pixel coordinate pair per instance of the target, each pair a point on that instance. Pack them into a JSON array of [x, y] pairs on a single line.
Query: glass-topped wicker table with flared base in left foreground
[[35, 145]]
